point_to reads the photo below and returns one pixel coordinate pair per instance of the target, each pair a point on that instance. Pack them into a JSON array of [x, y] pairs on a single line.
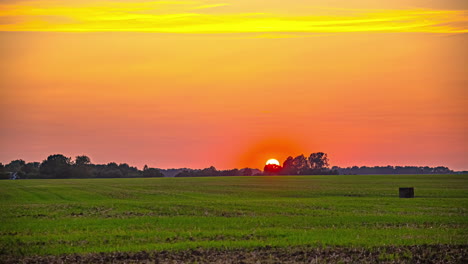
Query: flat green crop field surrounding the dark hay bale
[[231, 214]]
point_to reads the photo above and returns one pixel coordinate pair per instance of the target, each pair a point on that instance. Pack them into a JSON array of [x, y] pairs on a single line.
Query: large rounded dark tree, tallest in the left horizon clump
[[56, 166]]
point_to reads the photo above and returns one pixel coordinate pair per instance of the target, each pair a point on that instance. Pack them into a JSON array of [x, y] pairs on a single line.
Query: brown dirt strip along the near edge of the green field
[[390, 254]]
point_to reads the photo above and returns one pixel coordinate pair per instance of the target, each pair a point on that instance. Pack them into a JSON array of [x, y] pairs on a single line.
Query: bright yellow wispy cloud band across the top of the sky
[[190, 17]]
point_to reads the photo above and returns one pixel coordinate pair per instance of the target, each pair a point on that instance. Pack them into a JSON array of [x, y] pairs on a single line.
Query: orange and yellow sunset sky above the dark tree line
[[235, 83]]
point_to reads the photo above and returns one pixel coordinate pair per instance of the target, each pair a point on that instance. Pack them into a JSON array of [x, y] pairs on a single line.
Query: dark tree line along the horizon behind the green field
[[58, 166]]
